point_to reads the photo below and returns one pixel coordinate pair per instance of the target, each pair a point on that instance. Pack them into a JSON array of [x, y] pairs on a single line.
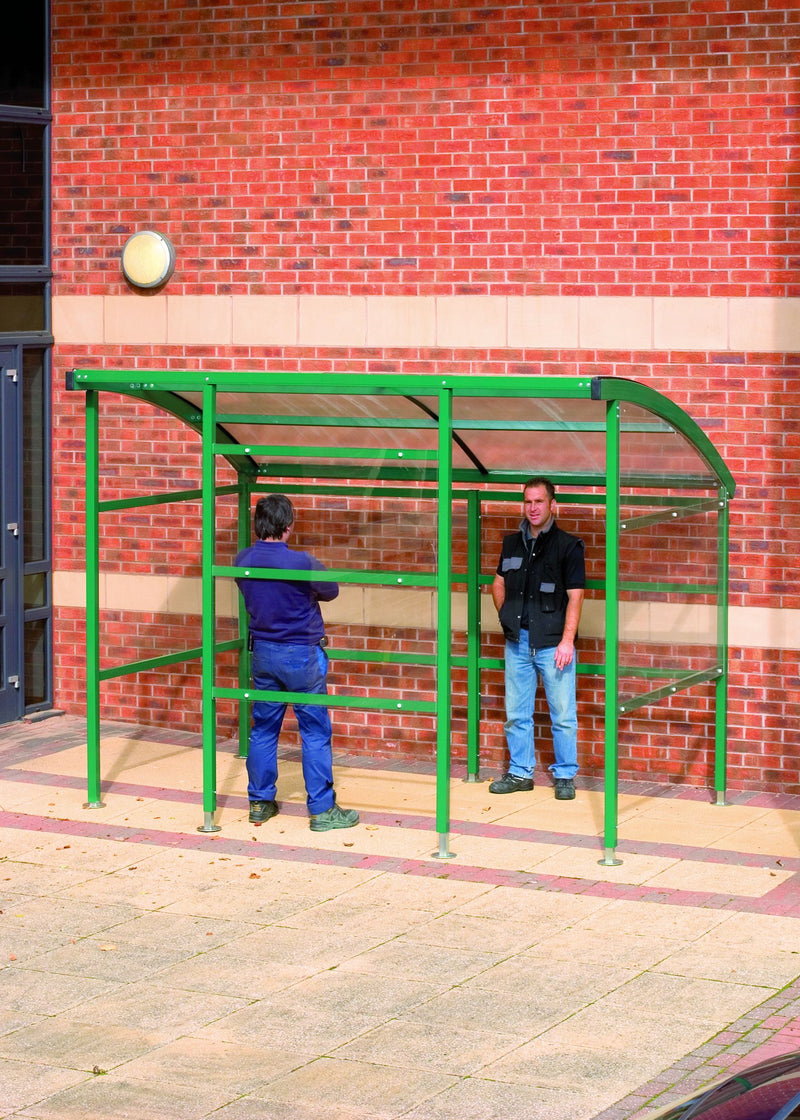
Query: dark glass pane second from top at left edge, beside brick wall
[[22, 194]]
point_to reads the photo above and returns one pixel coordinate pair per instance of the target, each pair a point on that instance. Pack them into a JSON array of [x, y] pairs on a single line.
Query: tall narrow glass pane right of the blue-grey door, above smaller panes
[[35, 458]]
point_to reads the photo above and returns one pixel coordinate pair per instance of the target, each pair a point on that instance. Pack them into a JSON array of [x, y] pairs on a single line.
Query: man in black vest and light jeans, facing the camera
[[538, 592]]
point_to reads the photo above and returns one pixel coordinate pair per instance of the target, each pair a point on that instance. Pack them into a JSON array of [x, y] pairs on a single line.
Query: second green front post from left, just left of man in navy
[[209, 670]]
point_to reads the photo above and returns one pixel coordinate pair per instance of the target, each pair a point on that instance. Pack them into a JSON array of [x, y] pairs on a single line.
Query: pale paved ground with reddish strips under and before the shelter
[[148, 970]]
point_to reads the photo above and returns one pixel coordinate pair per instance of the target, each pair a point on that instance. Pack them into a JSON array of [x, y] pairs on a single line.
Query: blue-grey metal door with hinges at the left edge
[[12, 695]]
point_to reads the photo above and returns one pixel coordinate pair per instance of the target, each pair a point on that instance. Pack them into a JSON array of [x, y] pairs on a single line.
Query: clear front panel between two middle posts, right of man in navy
[[382, 632]]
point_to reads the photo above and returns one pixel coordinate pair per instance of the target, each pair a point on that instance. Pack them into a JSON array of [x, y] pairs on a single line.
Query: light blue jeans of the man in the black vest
[[524, 667]]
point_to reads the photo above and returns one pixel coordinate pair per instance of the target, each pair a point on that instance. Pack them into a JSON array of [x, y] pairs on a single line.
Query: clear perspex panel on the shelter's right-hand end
[[669, 550]]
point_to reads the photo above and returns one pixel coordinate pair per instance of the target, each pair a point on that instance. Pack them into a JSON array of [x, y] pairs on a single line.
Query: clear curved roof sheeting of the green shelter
[[491, 434]]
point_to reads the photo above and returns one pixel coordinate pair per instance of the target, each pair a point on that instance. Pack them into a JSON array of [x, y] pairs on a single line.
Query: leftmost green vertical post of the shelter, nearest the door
[[94, 601]]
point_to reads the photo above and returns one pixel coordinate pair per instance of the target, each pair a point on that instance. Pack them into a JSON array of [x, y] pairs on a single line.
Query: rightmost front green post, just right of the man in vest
[[612, 633]]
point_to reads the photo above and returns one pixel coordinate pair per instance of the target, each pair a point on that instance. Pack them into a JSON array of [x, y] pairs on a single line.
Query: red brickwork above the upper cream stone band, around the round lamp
[[354, 147]]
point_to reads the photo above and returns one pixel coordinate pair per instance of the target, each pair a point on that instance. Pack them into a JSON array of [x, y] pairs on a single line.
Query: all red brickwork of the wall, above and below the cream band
[[359, 148]]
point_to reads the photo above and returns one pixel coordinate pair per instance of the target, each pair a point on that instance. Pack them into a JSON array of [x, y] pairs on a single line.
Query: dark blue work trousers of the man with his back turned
[[289, 668]]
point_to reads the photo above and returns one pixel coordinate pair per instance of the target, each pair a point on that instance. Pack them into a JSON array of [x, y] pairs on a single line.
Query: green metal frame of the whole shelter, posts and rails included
[[193, 397]]
